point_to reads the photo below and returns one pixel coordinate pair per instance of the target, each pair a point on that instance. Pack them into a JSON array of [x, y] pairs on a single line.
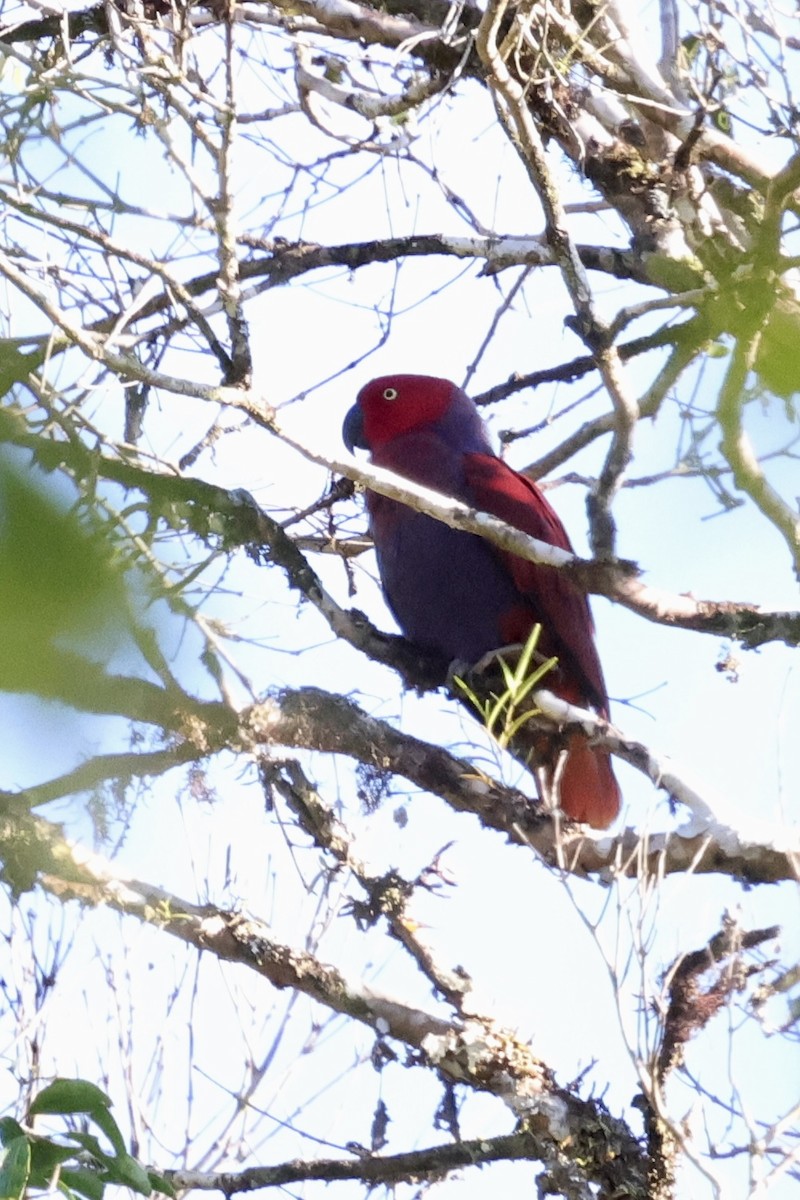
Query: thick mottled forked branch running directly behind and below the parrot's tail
[[316, 721]]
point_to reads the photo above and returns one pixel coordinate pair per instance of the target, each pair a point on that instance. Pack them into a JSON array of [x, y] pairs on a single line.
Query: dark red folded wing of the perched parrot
[[568, 629]]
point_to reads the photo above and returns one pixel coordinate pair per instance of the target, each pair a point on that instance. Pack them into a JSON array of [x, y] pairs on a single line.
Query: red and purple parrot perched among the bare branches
[[460, 596]]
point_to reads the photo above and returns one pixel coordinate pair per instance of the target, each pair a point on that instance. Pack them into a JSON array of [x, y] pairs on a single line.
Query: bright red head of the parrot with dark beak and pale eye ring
[[394, 405]]
